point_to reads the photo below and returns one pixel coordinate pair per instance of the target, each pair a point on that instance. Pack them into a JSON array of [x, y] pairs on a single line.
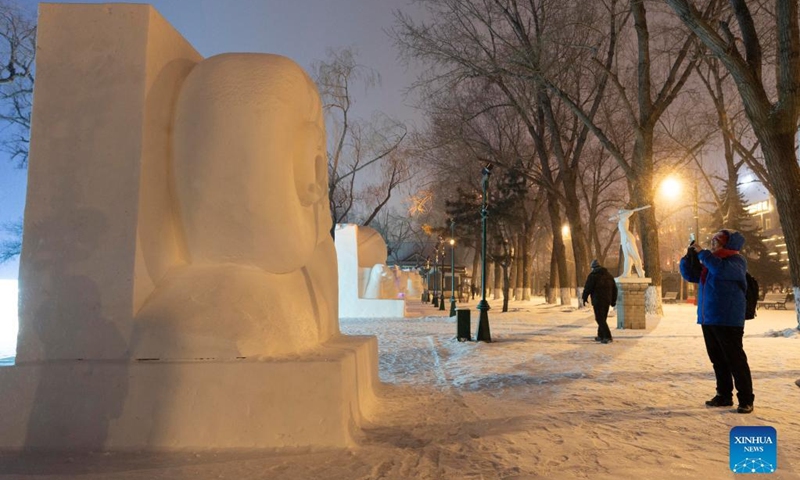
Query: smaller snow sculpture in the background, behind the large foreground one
[[367, 288]]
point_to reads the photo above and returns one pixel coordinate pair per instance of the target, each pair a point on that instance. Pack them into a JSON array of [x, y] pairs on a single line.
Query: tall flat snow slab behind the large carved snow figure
[[98, 226]]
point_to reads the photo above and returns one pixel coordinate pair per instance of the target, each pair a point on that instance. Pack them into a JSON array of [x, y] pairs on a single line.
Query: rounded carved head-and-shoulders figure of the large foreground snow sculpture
[[251, 180]]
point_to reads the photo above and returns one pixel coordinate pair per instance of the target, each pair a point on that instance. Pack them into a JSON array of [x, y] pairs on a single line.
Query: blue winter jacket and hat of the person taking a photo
[[721, 298]]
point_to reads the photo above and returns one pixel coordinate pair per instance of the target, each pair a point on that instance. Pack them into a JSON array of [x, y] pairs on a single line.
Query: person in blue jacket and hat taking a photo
[[720, 275]]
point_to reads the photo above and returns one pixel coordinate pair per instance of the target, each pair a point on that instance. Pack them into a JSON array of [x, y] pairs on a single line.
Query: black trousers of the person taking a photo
[[725, 350]]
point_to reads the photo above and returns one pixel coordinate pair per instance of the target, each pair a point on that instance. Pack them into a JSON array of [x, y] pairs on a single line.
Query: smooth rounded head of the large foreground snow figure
[[249, 163]]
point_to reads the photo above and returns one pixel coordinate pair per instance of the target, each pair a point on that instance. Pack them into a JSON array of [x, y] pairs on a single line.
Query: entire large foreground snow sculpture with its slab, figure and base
[[180, 298]]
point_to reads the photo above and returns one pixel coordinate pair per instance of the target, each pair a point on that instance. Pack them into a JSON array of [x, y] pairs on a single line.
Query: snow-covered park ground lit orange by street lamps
[[542, 401]]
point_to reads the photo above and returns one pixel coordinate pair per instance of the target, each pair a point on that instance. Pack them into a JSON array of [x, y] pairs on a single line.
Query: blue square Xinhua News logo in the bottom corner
[[754, 449]]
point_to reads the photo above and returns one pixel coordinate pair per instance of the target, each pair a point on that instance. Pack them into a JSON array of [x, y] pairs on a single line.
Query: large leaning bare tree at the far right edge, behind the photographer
[[773, 108]]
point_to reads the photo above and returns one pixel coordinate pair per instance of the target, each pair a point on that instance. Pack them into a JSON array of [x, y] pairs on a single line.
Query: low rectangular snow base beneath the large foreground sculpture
[[318, 400]]
